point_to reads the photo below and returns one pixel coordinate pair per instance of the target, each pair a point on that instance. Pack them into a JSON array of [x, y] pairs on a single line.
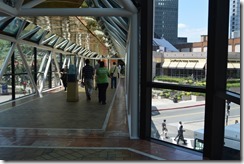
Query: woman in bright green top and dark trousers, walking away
[[102, 75]]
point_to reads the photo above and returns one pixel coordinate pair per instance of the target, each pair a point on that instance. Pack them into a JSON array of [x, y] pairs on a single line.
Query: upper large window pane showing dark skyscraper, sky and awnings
[[180, 42]]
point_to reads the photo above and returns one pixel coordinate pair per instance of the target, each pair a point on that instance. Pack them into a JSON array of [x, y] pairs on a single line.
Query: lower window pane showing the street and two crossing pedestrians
[[175, 106]]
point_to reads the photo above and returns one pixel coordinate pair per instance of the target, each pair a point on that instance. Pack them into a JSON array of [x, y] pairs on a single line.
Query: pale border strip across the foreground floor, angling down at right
[[88, 148]]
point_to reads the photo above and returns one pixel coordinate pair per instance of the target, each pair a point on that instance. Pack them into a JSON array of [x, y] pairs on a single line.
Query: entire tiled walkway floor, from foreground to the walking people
[[50, 128]]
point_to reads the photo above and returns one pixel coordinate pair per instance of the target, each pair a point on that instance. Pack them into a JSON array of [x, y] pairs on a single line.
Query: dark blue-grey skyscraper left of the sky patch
[[166, 20]]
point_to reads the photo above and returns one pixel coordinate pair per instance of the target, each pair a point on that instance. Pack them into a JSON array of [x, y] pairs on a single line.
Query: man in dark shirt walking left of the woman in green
[[87, 78]]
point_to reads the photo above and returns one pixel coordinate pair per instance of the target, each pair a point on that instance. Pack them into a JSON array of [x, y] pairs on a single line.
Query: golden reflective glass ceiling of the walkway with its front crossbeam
[[101, 26]]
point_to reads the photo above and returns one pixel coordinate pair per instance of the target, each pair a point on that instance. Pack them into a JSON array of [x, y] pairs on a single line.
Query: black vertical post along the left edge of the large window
[[146, 19]]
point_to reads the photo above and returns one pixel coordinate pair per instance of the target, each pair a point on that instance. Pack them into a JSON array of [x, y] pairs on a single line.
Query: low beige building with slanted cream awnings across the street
[[191, 60]]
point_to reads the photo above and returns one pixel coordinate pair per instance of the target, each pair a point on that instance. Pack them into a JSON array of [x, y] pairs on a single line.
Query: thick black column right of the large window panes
[[216, 79]]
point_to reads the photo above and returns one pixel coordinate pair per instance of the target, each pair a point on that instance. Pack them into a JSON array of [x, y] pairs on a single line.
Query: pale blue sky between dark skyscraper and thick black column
[[192, 19]]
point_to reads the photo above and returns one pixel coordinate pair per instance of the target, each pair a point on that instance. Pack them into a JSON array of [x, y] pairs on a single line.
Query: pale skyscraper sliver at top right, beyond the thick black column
[[235, 18]]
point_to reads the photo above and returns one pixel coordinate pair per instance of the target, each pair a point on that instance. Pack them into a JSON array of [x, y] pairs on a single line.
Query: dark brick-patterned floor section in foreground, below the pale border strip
[[64, 154]]
